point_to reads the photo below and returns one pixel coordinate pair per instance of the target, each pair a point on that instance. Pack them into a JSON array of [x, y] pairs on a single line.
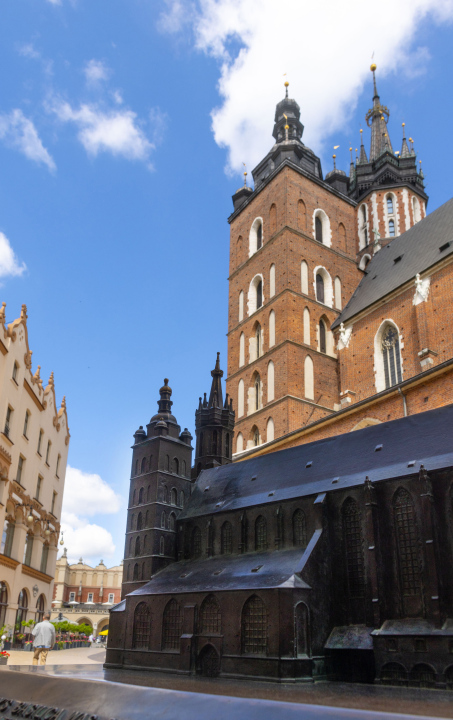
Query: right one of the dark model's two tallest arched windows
[[407, 543]]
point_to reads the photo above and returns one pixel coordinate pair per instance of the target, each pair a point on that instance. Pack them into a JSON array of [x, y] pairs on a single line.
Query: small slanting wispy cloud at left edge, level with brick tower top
[[19, 132]]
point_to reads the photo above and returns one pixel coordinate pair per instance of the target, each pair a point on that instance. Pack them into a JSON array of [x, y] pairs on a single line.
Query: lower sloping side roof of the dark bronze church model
[[251, 571]]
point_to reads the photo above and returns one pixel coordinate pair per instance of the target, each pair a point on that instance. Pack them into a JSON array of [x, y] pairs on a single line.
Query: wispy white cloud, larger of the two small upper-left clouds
[[115, 131]]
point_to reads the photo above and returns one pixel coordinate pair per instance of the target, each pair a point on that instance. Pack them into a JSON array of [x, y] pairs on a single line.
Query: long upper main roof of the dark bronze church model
[[394, 449]]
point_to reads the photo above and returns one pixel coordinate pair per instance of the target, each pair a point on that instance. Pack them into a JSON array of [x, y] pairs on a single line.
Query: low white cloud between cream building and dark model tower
[[87, 495]]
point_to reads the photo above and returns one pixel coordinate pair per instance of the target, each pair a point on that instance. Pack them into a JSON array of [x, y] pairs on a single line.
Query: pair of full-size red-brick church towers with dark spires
[[299, 244]]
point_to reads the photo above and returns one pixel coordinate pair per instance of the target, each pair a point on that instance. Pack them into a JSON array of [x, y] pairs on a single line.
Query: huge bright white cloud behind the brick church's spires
[[322, 46]]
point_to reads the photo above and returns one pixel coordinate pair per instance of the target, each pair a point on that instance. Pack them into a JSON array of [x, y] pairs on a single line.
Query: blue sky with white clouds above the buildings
[[123, 128]]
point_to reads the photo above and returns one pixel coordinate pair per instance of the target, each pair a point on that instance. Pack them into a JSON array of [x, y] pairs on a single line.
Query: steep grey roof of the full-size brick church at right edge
[[415, 251]]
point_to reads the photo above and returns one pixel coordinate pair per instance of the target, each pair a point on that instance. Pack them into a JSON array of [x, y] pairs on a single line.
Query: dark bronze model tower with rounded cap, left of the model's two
[[159, 490]]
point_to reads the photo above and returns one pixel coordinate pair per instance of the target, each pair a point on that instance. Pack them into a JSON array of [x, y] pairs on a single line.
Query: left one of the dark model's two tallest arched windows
[[353, 548]]
